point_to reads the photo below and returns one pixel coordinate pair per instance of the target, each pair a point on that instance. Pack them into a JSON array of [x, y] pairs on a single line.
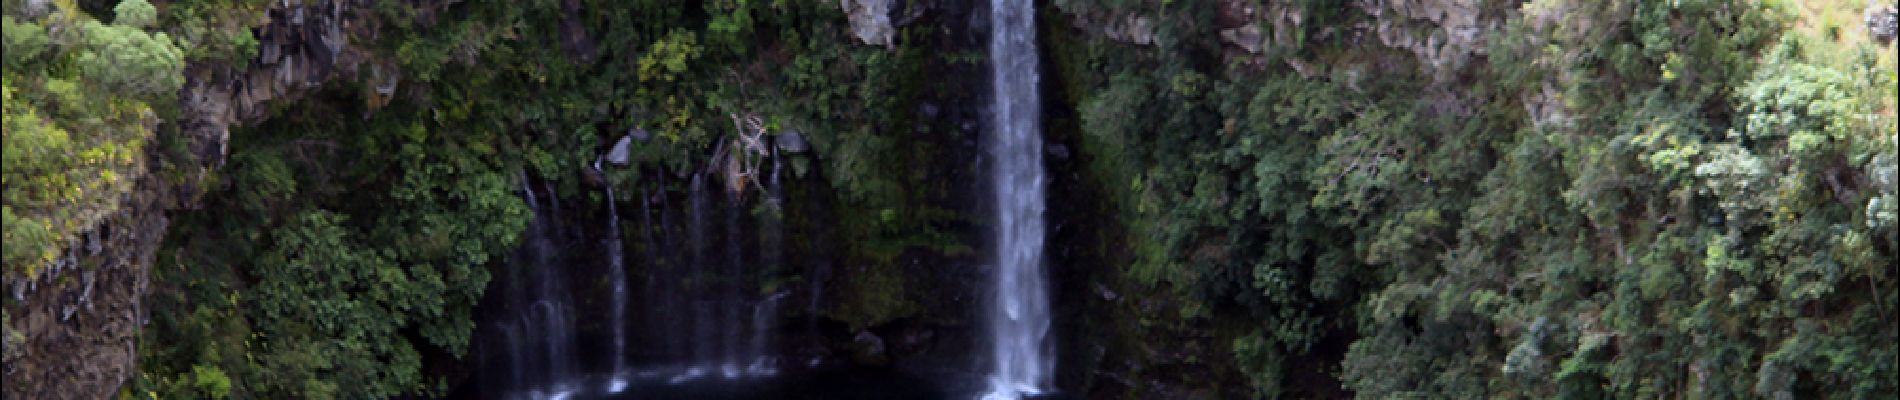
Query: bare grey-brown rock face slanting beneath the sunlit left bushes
[[81, 323]]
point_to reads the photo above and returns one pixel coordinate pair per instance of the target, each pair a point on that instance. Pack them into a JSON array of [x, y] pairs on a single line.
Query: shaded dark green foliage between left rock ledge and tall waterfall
[[349, 238]]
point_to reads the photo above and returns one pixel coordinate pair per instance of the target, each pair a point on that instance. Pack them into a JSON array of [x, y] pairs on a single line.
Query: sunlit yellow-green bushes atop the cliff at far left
[[79, 113]]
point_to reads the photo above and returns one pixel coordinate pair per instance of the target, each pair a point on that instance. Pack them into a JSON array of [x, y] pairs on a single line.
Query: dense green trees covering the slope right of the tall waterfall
[[1694, 204]]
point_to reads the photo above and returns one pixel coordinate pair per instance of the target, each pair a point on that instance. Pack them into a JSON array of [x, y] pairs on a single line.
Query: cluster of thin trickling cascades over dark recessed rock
[[696, 312]]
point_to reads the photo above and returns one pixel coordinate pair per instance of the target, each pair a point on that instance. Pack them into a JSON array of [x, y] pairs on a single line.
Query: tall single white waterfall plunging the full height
[[1019, 318]]
